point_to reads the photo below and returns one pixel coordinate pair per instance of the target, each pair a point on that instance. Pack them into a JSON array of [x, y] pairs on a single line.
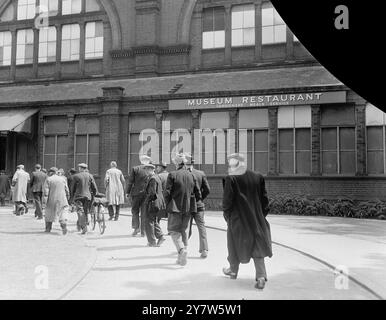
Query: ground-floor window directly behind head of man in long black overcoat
[[253, 138]]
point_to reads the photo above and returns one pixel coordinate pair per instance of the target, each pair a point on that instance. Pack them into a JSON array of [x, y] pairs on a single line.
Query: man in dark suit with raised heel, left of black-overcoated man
[[180, 186]]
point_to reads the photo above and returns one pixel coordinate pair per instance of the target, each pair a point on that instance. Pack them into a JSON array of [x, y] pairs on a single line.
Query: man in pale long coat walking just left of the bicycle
[[55, 197]]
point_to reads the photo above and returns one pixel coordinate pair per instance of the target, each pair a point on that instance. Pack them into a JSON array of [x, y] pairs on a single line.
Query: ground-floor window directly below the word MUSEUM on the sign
[[214, 141]]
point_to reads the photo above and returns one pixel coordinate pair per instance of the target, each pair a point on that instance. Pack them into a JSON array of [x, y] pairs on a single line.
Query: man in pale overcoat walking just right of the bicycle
[[115, 190]]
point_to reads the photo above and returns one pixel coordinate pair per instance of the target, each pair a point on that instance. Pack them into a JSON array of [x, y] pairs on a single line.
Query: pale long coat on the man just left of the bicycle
[[55, 195]]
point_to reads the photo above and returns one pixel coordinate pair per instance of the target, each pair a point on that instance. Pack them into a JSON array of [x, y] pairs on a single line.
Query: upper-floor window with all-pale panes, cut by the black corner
[[274, 29]]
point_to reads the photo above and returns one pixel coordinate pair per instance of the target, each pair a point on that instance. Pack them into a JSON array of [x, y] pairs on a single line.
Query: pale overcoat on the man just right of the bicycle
[[115, 186]]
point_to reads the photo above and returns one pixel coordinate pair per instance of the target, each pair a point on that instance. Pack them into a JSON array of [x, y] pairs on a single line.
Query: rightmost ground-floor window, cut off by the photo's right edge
[[376, 139]]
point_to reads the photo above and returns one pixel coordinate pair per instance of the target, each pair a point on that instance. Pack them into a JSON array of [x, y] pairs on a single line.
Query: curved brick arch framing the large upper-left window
[[111, 12]]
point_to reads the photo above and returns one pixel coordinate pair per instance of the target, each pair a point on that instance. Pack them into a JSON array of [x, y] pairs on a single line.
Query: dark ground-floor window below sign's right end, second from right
[[338, 140]]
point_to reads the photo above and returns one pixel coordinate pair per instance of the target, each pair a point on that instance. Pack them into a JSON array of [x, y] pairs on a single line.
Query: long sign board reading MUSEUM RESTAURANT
[[290, 99]]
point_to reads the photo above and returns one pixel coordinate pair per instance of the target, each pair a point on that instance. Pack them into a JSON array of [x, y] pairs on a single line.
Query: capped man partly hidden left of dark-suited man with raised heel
[[155, 204]]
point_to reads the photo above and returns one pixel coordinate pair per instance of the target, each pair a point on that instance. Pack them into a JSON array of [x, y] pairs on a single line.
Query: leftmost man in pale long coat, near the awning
[[20, 183]]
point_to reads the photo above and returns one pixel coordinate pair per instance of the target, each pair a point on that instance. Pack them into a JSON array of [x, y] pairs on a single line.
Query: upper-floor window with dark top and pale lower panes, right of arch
[[213, 35]]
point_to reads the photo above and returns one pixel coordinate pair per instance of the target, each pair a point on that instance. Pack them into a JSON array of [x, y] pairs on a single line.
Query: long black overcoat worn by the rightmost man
[[245, 206]]
